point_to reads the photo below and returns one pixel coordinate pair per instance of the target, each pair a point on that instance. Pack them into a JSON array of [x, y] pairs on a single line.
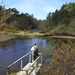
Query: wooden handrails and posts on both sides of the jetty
[[30, 60]]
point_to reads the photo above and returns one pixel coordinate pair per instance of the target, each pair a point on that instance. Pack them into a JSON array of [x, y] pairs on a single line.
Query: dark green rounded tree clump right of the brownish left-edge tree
[[22, 21]]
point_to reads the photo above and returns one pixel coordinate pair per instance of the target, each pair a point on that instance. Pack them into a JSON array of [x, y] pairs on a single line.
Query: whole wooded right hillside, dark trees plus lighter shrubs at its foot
[[62, 22]]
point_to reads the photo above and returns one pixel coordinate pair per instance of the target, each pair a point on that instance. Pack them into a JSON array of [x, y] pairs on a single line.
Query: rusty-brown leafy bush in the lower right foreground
[[63, 62]]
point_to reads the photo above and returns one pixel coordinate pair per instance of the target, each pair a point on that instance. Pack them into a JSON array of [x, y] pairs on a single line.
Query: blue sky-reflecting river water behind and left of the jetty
[[14, 49]]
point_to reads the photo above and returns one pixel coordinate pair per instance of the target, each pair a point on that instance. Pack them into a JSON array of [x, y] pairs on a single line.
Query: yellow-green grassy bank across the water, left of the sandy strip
[[7, 35]]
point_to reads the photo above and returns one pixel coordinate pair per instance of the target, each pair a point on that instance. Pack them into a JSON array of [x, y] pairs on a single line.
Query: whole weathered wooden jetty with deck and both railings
[[31, 68]]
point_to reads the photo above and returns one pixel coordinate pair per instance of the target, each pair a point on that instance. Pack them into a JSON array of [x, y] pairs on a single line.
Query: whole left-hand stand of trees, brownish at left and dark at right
[[12, 19]]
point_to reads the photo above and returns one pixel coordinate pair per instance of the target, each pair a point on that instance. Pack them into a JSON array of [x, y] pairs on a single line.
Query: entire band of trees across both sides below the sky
[[60, 22]]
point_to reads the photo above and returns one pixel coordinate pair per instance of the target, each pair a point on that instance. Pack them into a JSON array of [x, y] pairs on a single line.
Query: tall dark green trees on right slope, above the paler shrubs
[[62, 16]]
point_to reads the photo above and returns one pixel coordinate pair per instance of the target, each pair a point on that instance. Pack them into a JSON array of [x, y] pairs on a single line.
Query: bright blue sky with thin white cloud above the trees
[[39, 8]]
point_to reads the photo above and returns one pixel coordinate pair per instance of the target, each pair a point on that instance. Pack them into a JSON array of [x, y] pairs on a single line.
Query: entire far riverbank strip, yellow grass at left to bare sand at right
[[5, 36]]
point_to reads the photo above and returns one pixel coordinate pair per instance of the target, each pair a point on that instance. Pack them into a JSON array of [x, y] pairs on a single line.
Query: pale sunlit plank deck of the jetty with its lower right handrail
[[31, 68]]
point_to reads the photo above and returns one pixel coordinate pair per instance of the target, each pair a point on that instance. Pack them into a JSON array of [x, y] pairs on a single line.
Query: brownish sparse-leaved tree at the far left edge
[[4, 15]]
